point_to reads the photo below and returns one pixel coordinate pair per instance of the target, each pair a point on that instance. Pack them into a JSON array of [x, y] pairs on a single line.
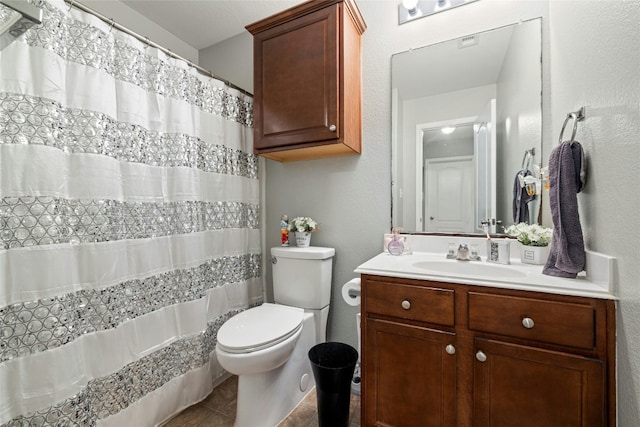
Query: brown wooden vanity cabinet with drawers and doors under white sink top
[[443, 354]]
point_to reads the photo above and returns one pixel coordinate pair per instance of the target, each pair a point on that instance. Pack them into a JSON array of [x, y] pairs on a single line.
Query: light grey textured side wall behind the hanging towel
[[595, 63]]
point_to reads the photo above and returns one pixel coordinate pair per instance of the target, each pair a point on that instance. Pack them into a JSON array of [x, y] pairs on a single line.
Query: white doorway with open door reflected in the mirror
[[459, 174]]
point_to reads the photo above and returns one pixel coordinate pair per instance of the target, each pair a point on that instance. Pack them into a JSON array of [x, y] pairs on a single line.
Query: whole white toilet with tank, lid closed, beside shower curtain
[[267, 346]]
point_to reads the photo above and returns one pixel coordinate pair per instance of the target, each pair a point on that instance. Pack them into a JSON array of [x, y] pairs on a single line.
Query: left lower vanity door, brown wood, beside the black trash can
[[410, 375]]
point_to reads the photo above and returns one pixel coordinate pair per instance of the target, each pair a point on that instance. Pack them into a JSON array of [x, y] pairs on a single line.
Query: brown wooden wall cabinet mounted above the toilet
[[307, 100]]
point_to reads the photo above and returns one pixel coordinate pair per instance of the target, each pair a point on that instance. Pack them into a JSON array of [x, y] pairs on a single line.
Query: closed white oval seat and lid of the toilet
[[259, 327]]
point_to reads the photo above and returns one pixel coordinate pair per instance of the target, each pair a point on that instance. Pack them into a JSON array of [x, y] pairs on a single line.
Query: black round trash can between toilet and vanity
[[333, 364]]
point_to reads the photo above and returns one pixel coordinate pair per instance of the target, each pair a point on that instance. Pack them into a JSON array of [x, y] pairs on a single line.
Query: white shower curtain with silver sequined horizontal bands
[[129, 225]]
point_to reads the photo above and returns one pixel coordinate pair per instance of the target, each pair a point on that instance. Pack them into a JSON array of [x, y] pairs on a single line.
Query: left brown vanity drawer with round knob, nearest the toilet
[[424, 304]]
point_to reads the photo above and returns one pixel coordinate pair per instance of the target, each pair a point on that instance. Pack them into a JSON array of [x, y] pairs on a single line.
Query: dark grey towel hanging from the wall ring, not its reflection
[[567, 176]]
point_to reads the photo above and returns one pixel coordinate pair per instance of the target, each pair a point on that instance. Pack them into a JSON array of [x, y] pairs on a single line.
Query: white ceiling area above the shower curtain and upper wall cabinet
[[202, 23]]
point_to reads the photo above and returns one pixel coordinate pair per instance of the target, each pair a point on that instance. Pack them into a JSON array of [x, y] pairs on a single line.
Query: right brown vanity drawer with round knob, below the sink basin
[[554, 322]]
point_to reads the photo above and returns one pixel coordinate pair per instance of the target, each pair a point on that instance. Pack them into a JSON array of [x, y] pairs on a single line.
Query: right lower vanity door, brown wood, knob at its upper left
[[526, 387]]
